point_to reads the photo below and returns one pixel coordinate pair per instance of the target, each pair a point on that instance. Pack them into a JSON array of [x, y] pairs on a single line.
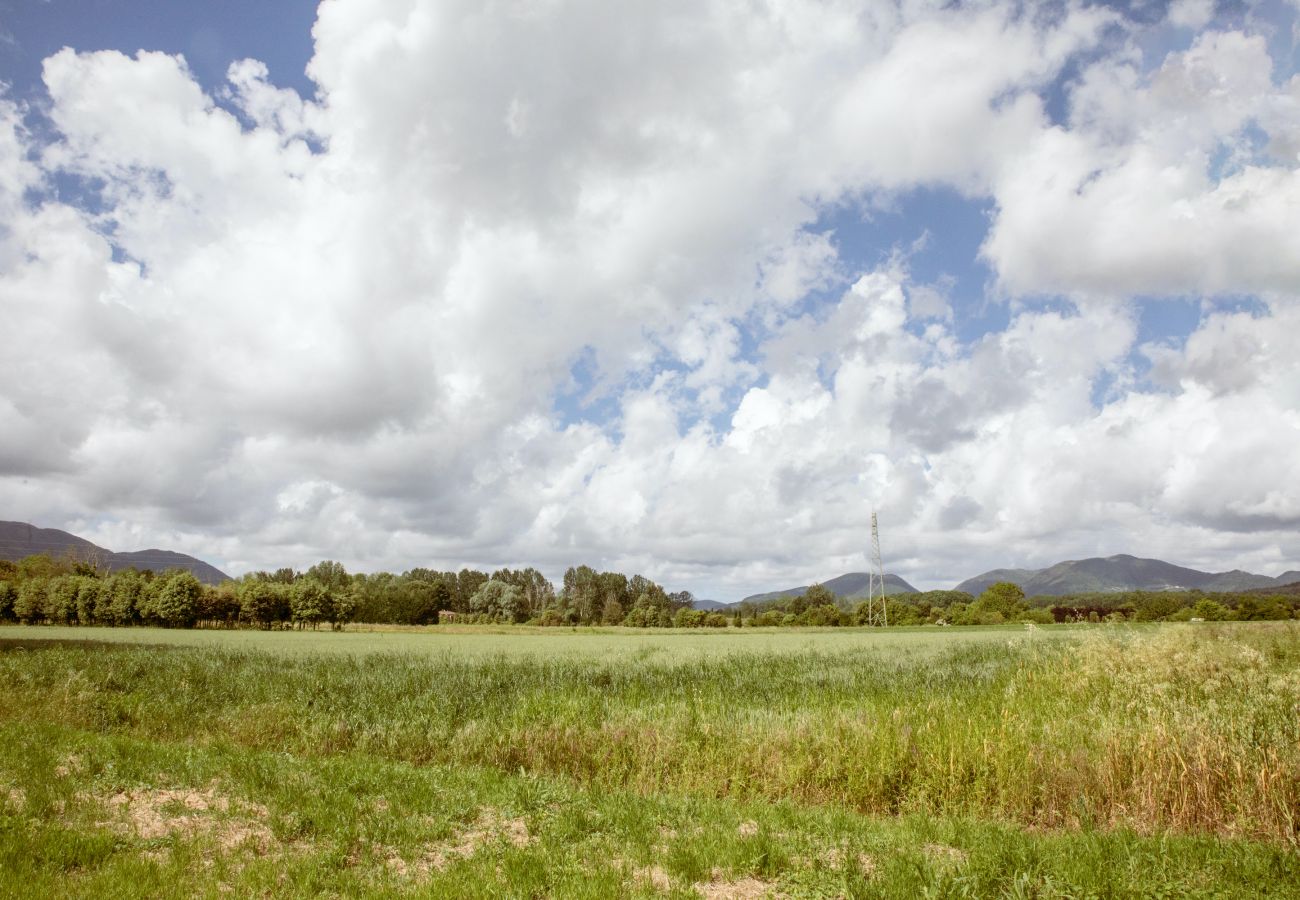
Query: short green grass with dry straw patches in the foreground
[[352, 825]]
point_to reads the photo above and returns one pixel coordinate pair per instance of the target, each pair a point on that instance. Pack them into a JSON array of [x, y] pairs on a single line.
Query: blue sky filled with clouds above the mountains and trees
[[684, 289]]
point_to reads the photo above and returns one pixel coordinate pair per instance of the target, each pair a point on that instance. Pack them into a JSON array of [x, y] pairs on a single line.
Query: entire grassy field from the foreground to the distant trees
[[1163, 761]]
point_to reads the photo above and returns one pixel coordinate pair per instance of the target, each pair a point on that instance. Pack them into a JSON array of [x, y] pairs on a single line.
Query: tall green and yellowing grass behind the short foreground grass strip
[[1190, 729]]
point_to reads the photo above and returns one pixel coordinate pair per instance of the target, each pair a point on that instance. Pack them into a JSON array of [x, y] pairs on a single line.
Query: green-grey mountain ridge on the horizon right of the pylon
[[1120, 573]]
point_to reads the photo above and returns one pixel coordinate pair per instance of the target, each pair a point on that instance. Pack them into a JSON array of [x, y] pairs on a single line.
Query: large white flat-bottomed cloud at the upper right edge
[[1159, 185]]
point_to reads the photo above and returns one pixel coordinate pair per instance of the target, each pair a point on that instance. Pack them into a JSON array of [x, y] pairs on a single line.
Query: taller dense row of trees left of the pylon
[[70, 591]]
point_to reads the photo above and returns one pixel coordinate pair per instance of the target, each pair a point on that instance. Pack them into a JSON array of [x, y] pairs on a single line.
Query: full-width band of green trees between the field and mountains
[[67, 591]]
